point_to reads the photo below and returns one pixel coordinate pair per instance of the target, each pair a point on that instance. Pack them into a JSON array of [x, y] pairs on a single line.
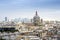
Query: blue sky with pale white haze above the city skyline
[[47, 9]]
